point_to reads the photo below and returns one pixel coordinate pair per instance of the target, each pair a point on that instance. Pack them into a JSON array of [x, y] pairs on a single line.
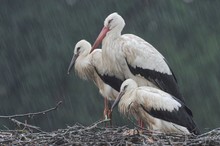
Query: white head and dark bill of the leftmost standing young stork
[[82, 48]]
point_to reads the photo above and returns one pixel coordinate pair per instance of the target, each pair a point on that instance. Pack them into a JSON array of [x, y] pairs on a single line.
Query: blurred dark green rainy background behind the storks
[[36, 46]]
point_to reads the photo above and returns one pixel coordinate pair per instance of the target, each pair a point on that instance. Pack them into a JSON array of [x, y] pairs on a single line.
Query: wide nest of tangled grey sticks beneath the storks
[[97, 134]]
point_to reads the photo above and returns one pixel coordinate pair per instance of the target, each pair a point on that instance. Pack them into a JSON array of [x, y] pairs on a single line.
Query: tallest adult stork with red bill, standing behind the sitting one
[[129, 56]]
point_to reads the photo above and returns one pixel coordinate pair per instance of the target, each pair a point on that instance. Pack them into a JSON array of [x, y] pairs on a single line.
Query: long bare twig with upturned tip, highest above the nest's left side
[[32, 114]]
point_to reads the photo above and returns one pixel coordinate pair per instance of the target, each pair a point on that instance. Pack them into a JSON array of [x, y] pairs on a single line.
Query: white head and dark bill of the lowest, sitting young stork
[[127, 85]]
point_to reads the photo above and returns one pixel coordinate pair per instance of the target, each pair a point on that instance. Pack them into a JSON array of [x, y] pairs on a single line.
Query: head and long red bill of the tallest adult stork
[[113, 24]]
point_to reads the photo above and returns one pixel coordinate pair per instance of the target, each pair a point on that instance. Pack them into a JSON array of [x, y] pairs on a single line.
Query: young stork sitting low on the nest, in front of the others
[[159, 110]]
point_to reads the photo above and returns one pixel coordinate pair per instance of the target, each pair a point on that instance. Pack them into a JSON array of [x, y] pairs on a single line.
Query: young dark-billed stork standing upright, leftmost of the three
[[87, 65]]
